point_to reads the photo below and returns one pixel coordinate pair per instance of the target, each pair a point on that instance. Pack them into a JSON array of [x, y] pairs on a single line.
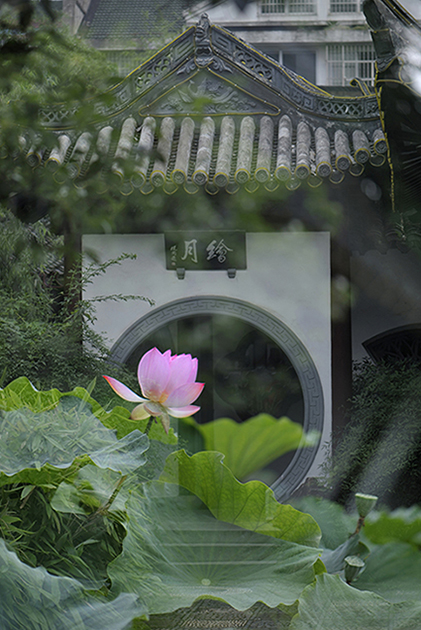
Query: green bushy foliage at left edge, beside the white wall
[[40, 332]]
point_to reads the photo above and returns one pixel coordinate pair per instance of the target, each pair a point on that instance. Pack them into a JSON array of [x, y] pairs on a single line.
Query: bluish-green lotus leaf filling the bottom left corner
[[31, 599]]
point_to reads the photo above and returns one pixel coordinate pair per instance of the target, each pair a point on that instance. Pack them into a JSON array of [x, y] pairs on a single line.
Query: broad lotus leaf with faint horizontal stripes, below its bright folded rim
[[175, 551]]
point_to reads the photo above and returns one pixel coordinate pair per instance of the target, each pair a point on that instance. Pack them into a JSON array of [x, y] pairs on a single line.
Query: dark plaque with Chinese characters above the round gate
[[205, 250]]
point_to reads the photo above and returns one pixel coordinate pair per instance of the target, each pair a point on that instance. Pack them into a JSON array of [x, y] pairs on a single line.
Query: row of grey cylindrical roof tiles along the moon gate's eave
[[223, 153]]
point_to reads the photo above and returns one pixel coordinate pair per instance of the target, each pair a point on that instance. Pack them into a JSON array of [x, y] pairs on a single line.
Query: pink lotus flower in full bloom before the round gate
[[167, 384]]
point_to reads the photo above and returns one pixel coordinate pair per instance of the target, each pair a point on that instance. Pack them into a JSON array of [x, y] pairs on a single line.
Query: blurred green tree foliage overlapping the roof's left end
[[44, 70]]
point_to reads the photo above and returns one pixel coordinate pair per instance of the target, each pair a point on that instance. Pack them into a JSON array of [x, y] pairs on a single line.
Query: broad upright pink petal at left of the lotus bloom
[[153, 373]]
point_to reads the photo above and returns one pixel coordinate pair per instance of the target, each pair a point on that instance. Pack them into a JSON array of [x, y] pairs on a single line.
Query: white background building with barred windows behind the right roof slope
[[325, 41]]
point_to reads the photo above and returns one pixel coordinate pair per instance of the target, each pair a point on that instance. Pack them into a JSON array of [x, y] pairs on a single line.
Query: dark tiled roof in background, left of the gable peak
[[128, 20]]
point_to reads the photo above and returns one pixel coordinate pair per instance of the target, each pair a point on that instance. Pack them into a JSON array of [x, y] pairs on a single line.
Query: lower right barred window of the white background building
[[349, 61]]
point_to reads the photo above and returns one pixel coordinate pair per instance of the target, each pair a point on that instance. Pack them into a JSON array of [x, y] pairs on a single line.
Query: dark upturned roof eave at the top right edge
[[397, 40]]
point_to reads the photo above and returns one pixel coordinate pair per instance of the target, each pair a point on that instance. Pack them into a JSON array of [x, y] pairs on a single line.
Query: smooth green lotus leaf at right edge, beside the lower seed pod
[[392, 571]]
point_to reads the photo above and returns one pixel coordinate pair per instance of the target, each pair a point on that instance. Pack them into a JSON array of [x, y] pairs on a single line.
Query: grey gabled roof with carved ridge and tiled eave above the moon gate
[[209, 111]]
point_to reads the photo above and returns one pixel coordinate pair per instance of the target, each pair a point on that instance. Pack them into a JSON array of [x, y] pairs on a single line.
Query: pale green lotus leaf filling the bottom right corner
[[330, 604]]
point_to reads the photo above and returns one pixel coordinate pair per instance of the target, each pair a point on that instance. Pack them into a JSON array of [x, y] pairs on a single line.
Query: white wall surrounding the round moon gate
[[287, 274]]
